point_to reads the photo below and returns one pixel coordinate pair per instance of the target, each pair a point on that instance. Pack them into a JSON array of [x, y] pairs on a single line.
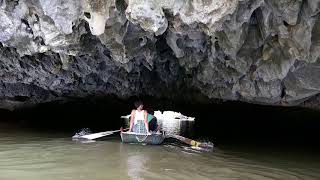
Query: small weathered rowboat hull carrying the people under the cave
[[132, 137]]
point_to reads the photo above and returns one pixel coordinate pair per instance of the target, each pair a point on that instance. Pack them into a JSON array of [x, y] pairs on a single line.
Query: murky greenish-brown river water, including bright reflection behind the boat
[[30, 155]]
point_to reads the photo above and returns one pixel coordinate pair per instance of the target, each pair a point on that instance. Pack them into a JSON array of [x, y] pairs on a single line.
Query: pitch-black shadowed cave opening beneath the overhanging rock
[[232, 122]]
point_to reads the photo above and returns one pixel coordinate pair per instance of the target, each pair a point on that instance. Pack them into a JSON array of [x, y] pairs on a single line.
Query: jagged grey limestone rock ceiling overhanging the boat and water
[[260, 51]]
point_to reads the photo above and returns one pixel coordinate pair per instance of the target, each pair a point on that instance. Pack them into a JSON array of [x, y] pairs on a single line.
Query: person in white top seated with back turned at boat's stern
[[138, 119]]
